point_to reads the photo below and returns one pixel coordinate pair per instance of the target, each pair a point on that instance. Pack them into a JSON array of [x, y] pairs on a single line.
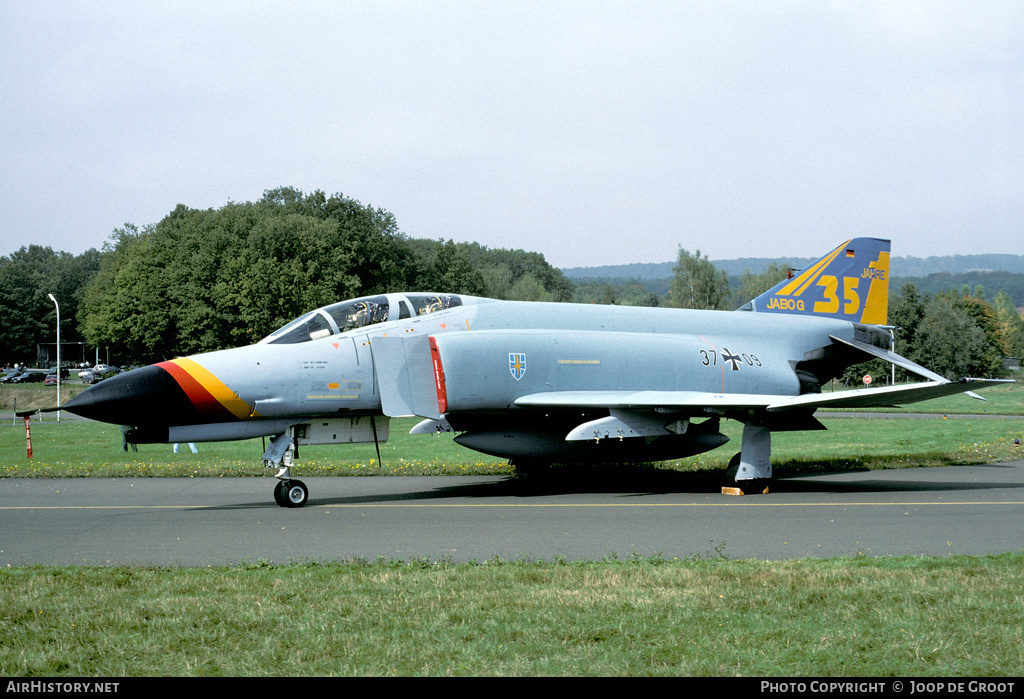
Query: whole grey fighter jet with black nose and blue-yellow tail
[[536, 382]]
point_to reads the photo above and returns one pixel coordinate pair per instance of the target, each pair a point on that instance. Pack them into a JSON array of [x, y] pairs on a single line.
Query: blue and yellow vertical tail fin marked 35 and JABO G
[[851, 283]]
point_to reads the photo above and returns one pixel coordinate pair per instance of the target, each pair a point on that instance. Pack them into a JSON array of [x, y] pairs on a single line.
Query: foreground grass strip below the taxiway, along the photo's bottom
[[843, 618]]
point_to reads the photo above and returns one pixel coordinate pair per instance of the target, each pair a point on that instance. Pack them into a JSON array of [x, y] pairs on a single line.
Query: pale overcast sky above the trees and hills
[[592, 133]]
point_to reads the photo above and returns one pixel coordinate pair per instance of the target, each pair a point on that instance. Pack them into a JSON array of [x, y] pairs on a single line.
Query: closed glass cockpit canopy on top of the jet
[[368, 311]]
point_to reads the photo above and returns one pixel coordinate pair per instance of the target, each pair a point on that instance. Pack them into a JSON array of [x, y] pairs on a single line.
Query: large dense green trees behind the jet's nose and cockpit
[[206, 280]]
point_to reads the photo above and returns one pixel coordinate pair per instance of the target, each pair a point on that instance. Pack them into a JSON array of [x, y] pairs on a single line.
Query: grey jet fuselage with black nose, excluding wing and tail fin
[[332, 363]]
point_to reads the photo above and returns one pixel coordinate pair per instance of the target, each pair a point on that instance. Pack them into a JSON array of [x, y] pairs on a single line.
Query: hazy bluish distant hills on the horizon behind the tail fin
[[900, 267]]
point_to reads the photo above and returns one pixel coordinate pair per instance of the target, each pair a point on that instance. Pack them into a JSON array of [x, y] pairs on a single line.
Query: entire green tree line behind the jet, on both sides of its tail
[[206, 280]]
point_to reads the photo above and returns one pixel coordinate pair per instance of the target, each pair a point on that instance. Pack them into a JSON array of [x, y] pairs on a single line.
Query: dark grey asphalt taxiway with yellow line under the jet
[[970, 510]]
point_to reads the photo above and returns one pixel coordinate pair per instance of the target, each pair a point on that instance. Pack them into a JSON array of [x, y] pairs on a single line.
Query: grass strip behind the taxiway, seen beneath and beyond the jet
[[81, 449]]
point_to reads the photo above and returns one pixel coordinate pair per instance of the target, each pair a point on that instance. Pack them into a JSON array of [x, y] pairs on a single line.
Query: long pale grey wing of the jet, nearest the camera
[[890, 397]]
